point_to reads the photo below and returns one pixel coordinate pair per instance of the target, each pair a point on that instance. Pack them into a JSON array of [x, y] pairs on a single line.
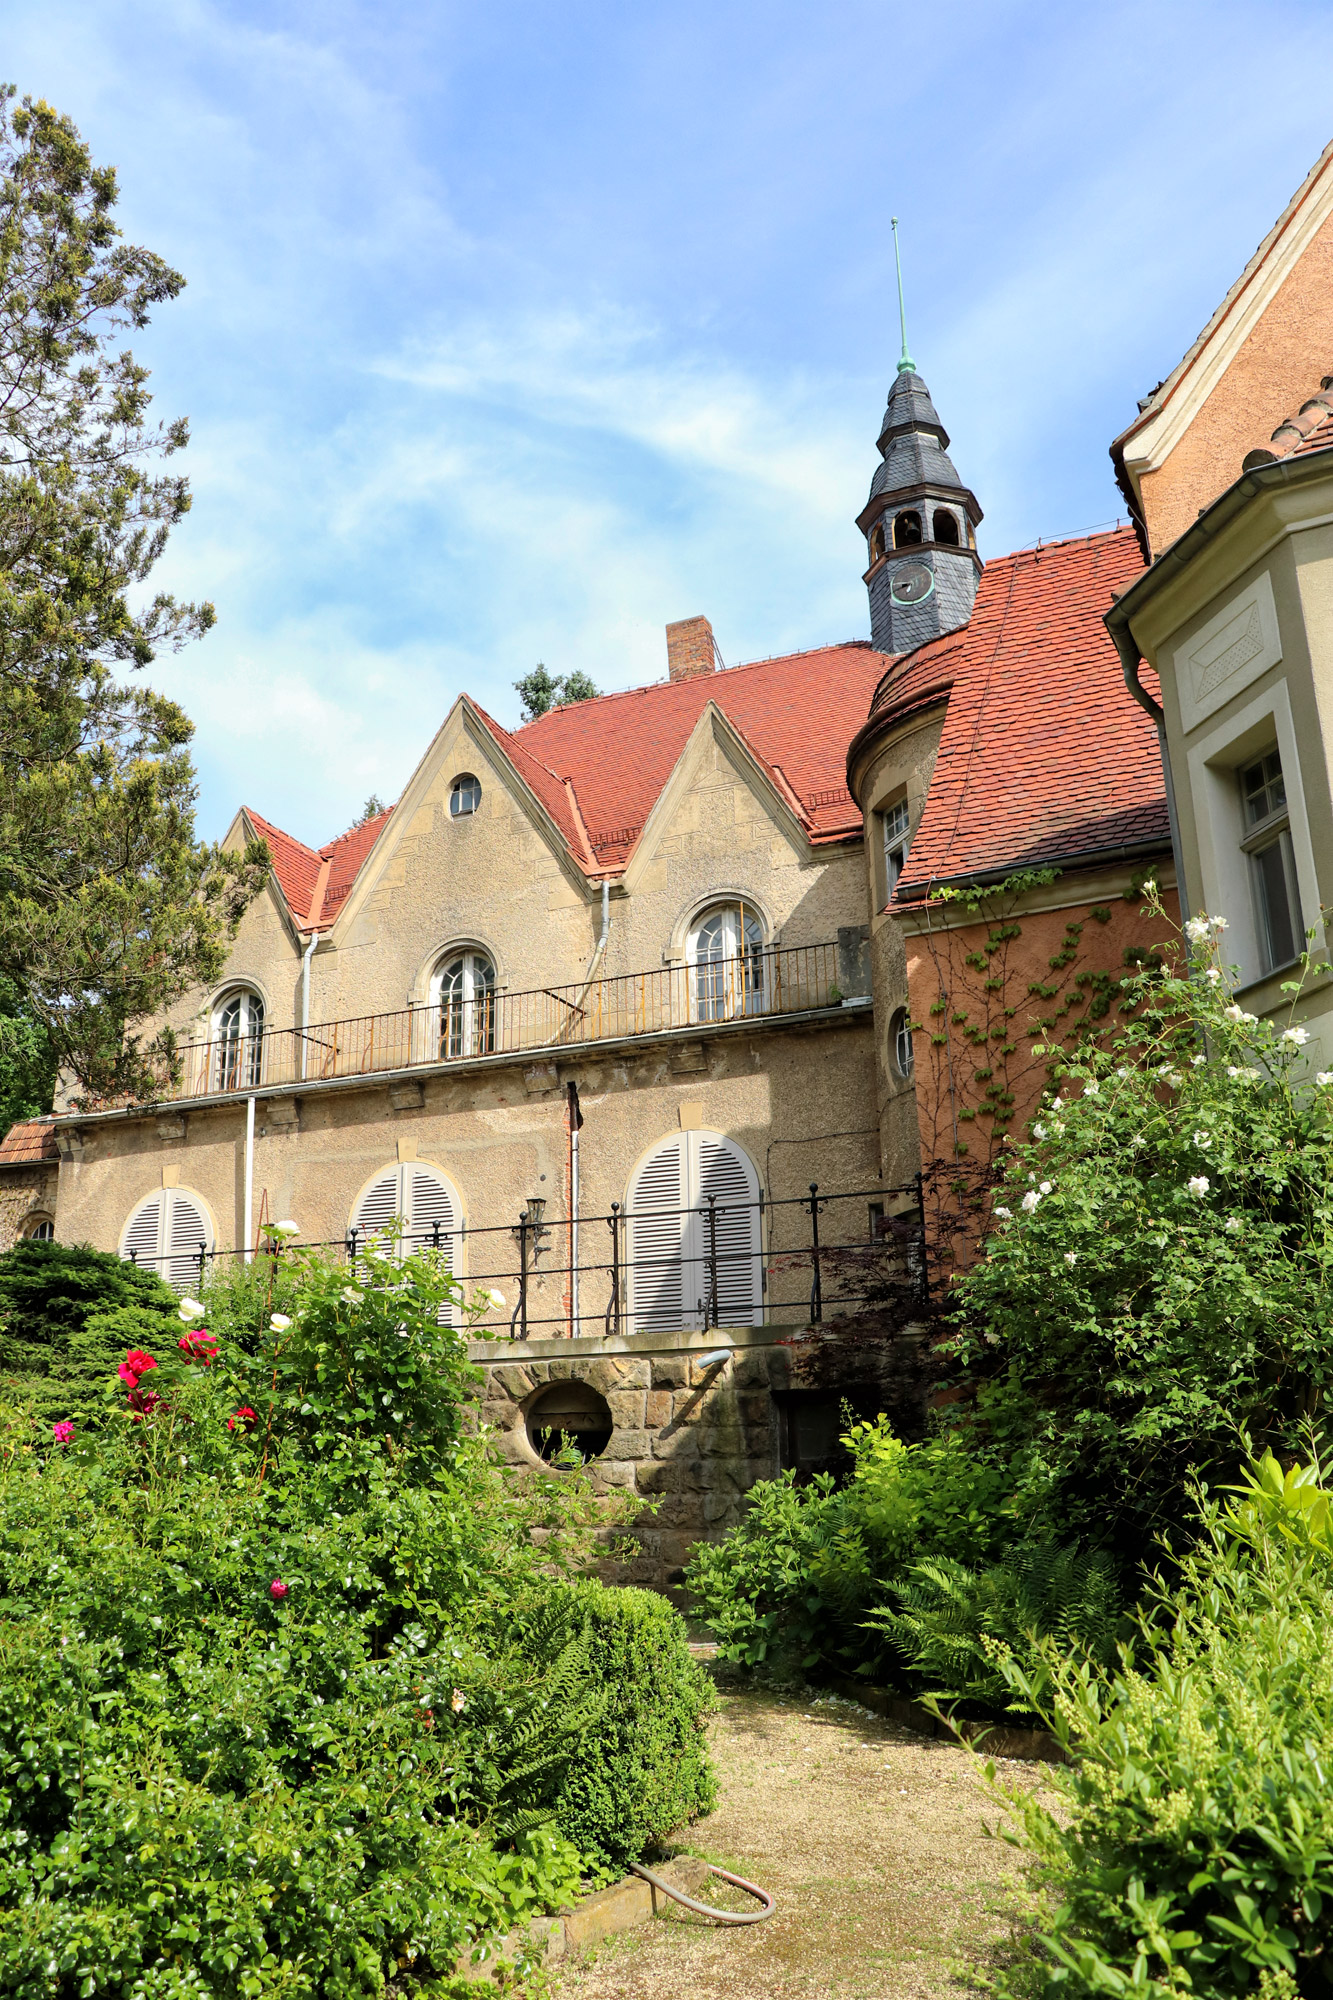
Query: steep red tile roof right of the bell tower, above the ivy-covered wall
[[1044, 755]]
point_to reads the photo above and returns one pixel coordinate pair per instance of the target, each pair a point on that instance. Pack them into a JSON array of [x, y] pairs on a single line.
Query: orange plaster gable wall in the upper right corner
[[1272, 375]]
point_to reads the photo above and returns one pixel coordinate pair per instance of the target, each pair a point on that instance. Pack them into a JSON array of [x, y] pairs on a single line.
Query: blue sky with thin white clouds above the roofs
[[515, 333]]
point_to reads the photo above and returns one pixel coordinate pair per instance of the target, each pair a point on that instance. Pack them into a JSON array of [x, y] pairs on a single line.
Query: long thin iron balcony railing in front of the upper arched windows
[[758, 987]]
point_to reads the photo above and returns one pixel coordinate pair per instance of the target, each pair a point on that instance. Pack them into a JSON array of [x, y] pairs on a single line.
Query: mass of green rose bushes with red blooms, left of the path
[[289, 1689]]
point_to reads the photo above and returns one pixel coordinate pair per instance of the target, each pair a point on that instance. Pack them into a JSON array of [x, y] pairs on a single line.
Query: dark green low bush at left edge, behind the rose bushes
[[55, 1333]]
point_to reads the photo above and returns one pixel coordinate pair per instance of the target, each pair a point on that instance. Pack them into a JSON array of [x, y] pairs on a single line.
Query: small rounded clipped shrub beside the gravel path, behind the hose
[[641, 1767]]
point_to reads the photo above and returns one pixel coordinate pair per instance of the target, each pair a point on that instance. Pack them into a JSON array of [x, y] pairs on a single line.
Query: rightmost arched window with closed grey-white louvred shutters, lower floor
[[692, 1261]]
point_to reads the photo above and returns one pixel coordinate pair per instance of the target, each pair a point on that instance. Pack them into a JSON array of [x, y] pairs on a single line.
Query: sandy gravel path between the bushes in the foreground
[[872, 1841]]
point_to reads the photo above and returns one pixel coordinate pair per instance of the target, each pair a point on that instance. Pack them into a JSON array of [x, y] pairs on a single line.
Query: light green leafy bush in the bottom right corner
[[1192, 1845]]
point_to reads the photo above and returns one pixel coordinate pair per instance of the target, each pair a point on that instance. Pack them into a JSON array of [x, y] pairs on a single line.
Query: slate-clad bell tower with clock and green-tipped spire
[[920, 521]]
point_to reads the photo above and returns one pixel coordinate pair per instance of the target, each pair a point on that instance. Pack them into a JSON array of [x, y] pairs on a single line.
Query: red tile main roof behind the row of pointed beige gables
[[599, 767]]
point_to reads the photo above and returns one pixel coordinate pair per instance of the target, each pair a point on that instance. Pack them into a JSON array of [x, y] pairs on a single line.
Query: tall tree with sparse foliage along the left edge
[[109, 907]]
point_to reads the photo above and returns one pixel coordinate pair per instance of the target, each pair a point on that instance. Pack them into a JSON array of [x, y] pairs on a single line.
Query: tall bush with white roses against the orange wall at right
[[1160, 1269]]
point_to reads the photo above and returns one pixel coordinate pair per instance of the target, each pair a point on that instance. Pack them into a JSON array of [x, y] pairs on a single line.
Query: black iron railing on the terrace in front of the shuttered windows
[[872, 1259]]
